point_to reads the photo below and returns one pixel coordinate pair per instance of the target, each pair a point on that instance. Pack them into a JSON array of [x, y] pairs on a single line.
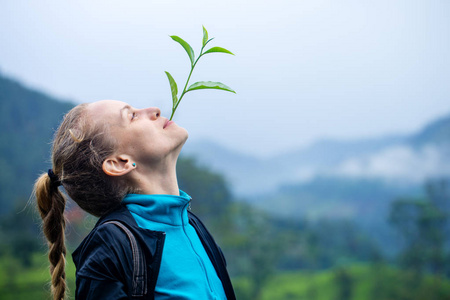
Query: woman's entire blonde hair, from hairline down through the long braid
[[79, 148]]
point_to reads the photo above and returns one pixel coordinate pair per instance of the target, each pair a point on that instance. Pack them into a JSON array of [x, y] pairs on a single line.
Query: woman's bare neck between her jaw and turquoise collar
[[161, 179]]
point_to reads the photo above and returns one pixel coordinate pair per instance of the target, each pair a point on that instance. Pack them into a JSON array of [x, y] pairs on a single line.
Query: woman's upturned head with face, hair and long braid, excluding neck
[[95, 149]]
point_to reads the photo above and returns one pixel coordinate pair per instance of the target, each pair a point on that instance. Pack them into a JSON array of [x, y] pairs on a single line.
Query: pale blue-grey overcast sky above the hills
[[303, 70]]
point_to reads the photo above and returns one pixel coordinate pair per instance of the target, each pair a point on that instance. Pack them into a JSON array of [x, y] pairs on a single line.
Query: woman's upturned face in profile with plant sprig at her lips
[[142, 134]]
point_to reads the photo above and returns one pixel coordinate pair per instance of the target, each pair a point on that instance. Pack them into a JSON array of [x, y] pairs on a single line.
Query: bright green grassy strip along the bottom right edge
[[362, 282]]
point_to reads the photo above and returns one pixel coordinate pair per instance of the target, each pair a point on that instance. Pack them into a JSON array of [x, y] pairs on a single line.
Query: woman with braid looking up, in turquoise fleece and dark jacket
[[119, 163]]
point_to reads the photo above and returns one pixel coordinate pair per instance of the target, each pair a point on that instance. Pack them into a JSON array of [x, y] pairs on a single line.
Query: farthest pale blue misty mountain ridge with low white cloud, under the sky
[[406, 159]]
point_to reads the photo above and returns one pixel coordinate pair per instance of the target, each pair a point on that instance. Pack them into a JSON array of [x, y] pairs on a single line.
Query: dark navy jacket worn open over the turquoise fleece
[[104, 260]]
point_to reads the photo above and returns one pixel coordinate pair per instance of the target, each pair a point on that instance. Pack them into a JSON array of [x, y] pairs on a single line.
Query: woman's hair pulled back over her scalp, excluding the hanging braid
[[79, 148]]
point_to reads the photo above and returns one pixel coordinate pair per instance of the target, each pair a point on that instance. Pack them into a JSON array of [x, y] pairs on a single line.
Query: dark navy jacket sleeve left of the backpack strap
[[103, 265]]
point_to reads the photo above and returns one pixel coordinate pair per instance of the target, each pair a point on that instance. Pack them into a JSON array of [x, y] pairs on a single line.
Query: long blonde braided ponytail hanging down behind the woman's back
[[51, 203]]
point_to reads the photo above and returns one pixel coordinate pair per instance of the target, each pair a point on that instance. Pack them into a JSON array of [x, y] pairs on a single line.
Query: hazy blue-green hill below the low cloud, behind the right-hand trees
[[331, 202]]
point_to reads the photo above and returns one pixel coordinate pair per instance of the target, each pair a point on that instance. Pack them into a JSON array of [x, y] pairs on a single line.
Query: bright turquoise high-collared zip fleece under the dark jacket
[[186, 271]]
